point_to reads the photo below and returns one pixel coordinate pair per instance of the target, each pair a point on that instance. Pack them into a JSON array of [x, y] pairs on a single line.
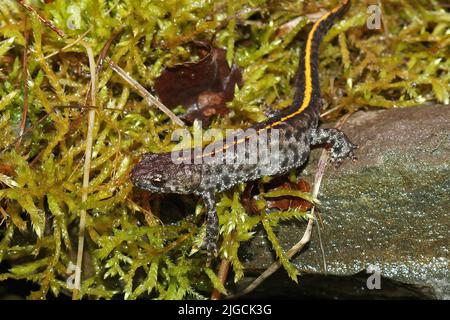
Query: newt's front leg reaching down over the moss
[[212, 224]]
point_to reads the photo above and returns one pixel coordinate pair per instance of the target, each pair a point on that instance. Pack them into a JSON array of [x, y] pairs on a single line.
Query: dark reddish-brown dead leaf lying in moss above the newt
[[203, 87]]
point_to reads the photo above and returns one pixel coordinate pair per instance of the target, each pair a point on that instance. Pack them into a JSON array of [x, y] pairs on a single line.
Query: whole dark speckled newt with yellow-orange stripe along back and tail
[[288, 135]]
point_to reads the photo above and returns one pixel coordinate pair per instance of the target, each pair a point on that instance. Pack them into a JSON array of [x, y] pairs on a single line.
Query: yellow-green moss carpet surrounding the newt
[[128, 251]]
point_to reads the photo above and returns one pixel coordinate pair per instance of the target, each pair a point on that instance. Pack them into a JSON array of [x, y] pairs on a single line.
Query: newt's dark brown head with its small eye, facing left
[[158, 173]]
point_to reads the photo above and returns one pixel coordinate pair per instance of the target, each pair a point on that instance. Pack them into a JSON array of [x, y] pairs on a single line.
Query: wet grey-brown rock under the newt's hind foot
[[390, 210]]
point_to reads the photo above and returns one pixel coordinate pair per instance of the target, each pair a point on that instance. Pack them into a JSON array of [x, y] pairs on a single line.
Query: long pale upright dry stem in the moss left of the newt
[[86, 171]]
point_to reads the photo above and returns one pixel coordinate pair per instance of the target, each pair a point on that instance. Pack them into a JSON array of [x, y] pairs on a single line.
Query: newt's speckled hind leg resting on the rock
[[341, 147]]
